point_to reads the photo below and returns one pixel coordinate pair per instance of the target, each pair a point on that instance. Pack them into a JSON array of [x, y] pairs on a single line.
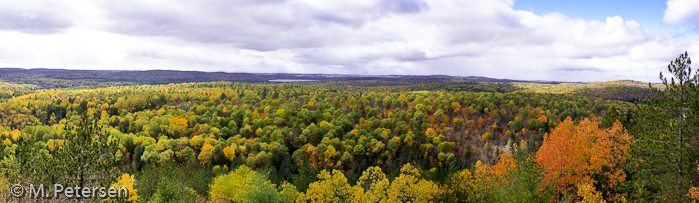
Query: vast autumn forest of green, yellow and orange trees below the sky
[[364, 140]]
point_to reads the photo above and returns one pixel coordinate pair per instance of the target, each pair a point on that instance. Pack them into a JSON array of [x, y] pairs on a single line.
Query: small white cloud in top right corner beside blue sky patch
[[682, 11]]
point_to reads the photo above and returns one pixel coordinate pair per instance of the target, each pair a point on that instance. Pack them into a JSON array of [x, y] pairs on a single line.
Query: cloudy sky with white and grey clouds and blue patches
[[564, 40]]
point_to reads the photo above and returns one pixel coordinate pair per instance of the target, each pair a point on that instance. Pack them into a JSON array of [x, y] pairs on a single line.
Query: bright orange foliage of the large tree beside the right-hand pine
[[573, 154]]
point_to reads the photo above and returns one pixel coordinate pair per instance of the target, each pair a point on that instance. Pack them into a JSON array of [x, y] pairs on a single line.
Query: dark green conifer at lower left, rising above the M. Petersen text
[[73, 166]]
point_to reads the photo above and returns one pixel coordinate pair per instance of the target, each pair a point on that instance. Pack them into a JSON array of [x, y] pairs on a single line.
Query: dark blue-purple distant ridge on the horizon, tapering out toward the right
[[18, 75]]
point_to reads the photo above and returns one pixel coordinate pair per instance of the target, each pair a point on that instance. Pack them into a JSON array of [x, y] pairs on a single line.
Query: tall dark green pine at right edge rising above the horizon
[[668, 131]]
